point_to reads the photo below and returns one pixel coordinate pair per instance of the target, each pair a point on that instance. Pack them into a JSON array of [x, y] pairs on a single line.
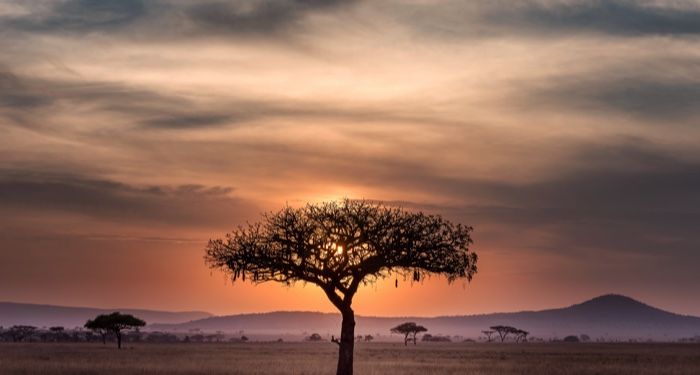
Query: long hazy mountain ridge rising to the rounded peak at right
[[610, 317]]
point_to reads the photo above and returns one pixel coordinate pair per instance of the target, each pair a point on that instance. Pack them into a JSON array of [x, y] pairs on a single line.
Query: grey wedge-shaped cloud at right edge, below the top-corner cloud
[[661, 91]]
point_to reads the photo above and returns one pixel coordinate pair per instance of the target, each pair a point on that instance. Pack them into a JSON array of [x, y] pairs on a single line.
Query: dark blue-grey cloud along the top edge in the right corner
[[618, 17]]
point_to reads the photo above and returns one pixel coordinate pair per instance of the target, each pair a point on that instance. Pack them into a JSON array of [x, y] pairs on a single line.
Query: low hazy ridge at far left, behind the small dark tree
[[69, 317]]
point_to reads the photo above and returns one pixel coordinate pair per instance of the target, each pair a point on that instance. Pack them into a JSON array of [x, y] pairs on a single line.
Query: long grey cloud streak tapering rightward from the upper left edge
[[140, 107]]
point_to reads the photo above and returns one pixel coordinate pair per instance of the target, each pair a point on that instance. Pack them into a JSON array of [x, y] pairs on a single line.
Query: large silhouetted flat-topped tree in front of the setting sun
[[339, 246]]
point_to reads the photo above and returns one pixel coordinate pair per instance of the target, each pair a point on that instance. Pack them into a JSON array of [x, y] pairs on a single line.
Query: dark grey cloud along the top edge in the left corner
[[163, 19]]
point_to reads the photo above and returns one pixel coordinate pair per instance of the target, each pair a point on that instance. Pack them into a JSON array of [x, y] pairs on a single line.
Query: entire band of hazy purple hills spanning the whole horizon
[[609, 317]]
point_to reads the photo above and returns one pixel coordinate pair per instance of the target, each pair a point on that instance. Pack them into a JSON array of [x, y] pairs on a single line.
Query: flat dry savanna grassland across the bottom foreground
[[371, 358]]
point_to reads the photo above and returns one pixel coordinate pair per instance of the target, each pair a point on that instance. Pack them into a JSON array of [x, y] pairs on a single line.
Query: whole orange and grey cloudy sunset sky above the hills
[[565, 132]]
